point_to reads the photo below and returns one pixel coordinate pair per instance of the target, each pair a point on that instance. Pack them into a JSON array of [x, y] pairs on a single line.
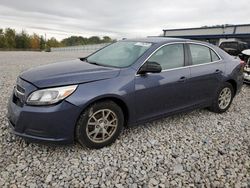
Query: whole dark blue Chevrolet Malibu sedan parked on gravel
[[129, 82]]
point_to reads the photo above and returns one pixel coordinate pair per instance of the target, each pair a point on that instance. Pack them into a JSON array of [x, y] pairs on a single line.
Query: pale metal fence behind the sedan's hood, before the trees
[[85, 48]]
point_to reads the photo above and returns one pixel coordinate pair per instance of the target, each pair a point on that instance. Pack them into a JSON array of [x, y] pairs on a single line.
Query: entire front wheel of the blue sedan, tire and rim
[[100, 125]]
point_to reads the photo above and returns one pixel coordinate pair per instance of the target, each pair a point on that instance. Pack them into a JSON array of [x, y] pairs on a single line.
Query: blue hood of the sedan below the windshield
[[67, 73]]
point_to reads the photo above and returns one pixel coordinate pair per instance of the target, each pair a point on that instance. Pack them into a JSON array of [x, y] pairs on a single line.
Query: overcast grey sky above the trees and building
[[118, 18]]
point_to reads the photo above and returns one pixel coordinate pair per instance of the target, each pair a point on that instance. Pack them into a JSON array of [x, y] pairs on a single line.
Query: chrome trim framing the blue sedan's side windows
[[188, 65]]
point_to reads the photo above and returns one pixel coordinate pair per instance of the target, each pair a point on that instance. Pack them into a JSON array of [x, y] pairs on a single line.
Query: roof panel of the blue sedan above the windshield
[[157, 39]]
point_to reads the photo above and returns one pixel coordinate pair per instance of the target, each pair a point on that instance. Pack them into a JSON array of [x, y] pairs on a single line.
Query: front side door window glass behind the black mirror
[[170, 56]]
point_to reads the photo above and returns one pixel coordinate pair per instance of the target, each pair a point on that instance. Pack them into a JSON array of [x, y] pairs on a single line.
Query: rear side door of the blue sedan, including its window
[[206, 73]]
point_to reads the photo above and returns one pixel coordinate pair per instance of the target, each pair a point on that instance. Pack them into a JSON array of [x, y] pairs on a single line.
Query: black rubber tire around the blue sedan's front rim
[[83, 120]]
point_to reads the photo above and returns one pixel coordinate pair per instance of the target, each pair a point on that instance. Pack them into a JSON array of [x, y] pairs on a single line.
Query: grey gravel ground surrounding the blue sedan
[[196, 149]]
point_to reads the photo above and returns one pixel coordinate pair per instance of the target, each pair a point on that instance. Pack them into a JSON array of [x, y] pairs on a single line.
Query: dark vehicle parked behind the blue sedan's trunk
[[233, 48]]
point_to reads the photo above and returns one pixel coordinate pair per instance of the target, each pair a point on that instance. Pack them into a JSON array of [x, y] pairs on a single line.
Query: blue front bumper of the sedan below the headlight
[[54, 123]]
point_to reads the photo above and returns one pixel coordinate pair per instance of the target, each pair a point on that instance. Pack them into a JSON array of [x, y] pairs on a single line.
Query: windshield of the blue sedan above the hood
[[119, 54]]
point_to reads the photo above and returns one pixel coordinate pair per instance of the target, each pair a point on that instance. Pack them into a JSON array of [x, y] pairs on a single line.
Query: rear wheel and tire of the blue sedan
[[223, 99]]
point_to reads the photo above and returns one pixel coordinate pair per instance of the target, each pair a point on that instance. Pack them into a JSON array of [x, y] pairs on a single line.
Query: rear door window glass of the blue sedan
[[200, 54]]
